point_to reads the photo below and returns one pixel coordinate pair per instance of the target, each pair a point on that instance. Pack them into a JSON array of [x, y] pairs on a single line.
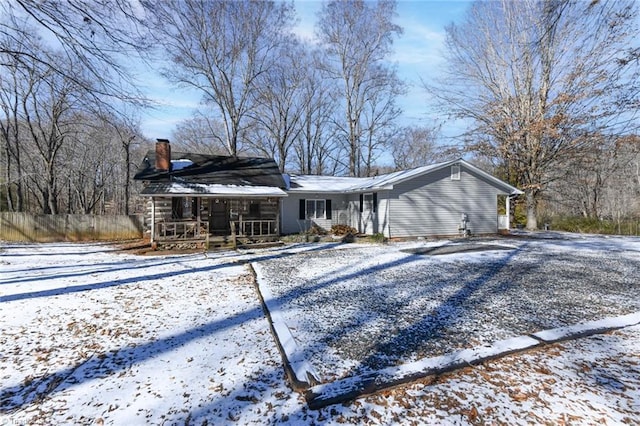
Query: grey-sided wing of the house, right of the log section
[[445, 199]]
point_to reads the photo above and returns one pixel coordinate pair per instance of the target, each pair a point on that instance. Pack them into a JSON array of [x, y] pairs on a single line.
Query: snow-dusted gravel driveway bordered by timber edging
[[357, 308]]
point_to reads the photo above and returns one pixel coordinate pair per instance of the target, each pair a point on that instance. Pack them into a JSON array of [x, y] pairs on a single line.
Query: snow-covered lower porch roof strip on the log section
[[176, 189]]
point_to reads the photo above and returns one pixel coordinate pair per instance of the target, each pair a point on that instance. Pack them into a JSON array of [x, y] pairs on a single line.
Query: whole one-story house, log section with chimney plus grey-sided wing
[[196, 197]]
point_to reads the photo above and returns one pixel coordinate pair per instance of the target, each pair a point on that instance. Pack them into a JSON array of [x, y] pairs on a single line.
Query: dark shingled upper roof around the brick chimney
[[213, 169]]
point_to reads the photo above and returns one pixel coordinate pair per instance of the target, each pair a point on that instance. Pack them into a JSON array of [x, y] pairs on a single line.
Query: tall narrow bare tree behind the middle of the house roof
[[358, 37]]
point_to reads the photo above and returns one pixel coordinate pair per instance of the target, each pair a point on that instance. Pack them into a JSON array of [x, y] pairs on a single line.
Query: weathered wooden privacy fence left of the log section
[[69, 227]]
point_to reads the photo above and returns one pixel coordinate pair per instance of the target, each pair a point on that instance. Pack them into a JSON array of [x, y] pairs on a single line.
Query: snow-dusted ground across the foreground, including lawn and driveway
[[89, 335]]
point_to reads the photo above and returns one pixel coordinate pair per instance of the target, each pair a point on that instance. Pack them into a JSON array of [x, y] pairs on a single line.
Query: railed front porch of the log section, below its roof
[[212, 220]]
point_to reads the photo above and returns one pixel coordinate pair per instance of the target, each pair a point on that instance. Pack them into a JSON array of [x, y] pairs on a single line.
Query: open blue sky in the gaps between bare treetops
[[418, 54]]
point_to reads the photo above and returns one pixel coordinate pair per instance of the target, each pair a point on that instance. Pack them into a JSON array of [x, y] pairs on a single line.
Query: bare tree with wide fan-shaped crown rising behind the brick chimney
[[222, 48]]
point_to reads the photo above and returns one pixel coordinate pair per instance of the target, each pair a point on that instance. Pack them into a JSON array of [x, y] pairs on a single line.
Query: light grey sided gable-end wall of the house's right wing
[[433, 204]]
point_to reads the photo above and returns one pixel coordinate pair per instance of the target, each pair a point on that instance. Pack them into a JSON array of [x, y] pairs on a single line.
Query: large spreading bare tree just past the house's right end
[[537, 78]]
